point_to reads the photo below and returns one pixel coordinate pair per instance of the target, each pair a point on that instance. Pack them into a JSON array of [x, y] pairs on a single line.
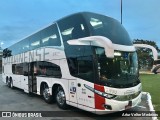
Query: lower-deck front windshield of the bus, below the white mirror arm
[[121, 71]]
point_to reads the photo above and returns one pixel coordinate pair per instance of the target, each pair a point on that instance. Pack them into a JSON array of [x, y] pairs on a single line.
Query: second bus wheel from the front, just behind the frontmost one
[[48, 98]]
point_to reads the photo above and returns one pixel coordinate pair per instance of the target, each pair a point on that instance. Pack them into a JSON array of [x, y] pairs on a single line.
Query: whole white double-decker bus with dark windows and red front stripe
[[85, 60]]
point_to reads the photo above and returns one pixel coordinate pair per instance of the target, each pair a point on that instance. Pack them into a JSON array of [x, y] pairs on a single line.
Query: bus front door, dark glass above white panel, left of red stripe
[[85, 82]]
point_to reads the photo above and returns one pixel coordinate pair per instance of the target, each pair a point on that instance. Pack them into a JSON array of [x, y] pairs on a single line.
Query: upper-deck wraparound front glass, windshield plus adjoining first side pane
[[91, 24]]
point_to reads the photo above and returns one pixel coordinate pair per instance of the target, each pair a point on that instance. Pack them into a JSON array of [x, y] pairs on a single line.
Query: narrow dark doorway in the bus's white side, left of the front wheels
[[32, 80]]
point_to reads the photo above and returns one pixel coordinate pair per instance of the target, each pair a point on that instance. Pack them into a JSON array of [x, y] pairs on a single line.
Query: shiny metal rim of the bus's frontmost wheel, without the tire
[[61, 97]]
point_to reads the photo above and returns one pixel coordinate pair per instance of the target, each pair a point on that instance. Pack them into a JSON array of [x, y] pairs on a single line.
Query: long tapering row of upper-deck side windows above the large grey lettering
[[46, 37]]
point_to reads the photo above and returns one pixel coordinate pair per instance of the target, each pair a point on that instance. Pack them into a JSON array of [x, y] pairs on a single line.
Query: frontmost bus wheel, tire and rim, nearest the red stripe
[[61, 98]]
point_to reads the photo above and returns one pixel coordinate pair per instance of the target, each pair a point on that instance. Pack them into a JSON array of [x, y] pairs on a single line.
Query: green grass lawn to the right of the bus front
[[151, 84]]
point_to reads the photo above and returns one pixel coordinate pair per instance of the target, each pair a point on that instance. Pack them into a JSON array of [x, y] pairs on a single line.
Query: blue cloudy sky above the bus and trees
[[19, 18]]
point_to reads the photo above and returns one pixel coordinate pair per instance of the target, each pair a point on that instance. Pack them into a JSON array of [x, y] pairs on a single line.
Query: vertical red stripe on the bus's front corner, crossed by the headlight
[[99, 100]]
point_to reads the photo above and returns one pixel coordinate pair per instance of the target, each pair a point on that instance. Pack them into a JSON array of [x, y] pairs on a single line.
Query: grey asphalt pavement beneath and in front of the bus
[[16, 100]]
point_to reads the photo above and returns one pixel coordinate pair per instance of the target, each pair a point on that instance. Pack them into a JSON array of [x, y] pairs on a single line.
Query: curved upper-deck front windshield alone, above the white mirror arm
[[107, 27]]
